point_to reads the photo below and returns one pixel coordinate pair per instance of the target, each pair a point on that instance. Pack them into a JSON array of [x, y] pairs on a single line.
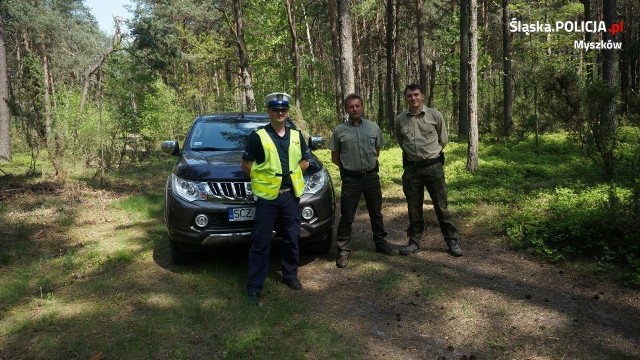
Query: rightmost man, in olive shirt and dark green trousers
[[422, 135]]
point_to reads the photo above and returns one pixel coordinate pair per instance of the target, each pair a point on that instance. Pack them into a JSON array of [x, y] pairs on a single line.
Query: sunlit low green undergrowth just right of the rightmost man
[[512, 171]]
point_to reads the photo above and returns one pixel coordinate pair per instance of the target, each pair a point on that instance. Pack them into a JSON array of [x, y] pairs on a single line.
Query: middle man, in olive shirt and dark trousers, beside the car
[[355, 147]]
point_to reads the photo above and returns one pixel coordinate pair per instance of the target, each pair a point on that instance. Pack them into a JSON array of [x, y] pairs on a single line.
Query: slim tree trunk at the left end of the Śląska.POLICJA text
[[507, 89]]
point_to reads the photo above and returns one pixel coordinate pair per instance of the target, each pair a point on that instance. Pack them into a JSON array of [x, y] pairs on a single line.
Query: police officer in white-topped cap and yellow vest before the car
[[274, 158]]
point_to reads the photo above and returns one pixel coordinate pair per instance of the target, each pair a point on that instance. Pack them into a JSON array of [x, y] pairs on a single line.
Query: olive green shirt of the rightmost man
[[421, 136]]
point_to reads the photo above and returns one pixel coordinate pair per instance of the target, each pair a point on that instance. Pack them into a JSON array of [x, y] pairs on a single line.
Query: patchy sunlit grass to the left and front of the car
[[83, 264]]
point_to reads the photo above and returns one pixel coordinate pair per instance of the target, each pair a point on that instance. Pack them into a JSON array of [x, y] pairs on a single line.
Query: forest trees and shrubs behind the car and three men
[[501, 73]]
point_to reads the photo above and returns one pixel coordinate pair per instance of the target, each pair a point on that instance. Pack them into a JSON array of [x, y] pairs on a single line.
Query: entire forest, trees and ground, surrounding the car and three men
[[542, 104]]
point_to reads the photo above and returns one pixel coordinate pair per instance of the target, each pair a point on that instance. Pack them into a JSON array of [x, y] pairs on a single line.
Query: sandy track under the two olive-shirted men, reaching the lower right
[[491, 303]]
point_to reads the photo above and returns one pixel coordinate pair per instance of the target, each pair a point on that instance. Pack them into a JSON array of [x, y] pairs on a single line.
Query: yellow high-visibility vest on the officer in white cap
[[264, 181]]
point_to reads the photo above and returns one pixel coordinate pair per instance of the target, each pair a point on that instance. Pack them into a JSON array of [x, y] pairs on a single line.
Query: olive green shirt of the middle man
[[357, 144]]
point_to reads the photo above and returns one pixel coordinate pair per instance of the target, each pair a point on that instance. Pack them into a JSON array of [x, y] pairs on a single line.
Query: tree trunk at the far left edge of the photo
[[5, 114]]
